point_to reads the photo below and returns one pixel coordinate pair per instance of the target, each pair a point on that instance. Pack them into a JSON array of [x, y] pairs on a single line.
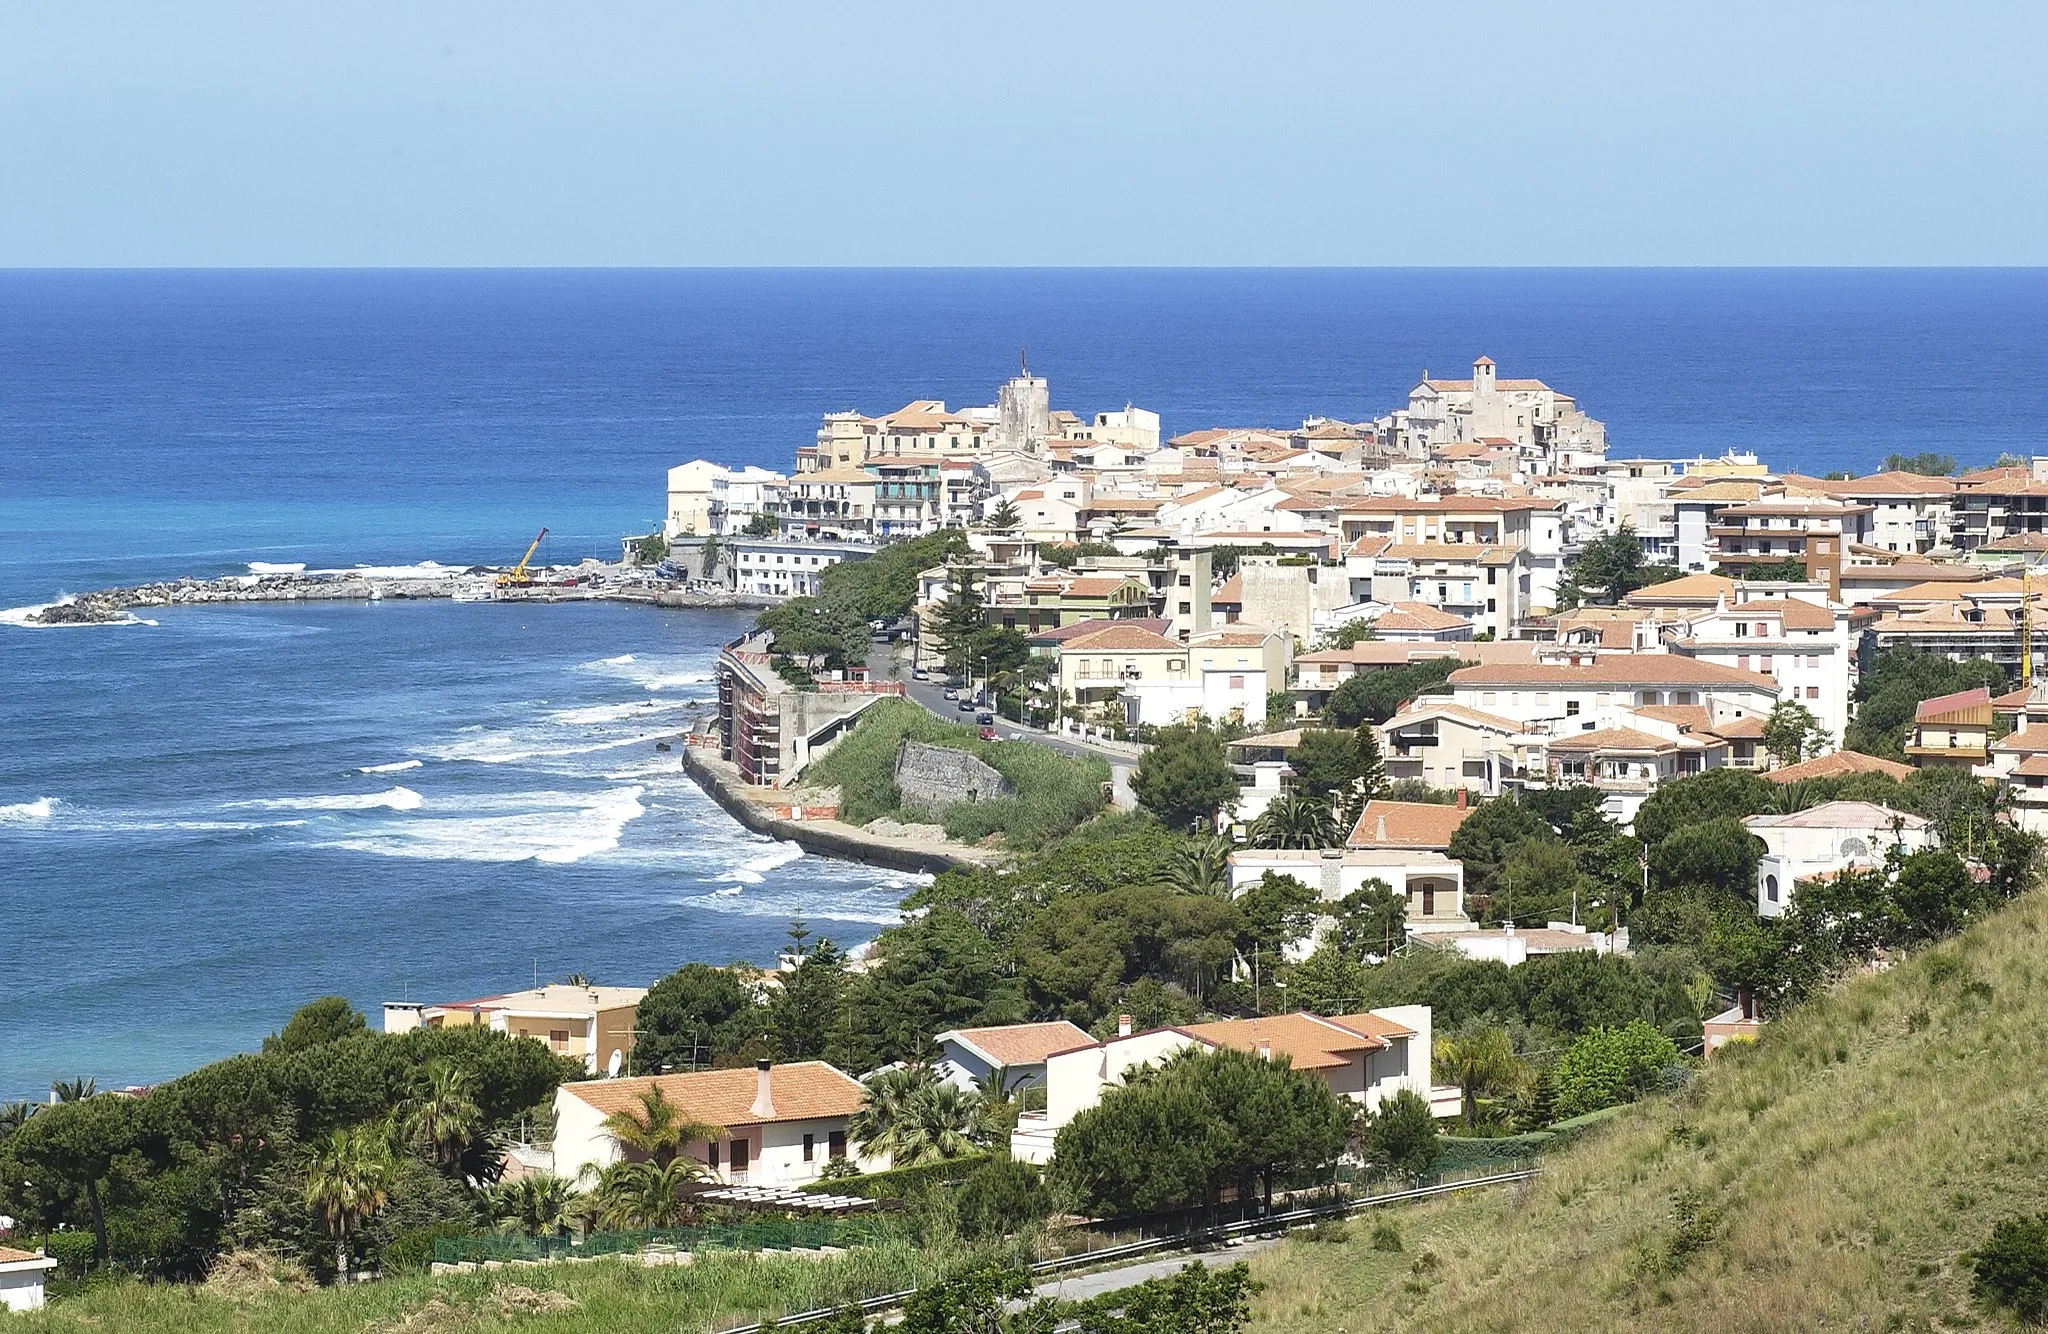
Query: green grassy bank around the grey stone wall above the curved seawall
[[1054, 792]]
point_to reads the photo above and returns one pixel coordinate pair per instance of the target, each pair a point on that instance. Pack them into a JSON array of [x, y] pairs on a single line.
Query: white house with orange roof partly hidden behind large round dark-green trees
[[1363, 1058]]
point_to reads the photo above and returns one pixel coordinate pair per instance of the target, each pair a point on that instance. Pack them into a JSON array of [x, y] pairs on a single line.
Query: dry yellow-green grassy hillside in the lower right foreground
[[1844, 1165]]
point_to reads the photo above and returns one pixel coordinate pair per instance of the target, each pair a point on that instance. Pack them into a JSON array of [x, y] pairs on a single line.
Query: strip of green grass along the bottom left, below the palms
[[607, 1296]]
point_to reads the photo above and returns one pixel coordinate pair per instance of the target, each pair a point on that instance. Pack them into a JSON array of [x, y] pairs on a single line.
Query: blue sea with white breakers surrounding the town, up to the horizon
[[216, 817]]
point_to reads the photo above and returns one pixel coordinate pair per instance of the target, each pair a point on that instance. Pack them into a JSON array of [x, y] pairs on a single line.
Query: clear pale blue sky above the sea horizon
[[1048, 132]]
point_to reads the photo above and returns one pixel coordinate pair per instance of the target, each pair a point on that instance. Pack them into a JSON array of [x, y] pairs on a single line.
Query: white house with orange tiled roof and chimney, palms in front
[[781, 1124]]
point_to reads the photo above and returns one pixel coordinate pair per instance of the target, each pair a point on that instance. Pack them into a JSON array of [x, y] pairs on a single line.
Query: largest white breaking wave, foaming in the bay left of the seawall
[[556, 829]]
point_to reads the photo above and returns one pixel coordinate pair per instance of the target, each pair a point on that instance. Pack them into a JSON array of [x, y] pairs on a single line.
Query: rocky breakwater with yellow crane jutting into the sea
[[474, 585]]
